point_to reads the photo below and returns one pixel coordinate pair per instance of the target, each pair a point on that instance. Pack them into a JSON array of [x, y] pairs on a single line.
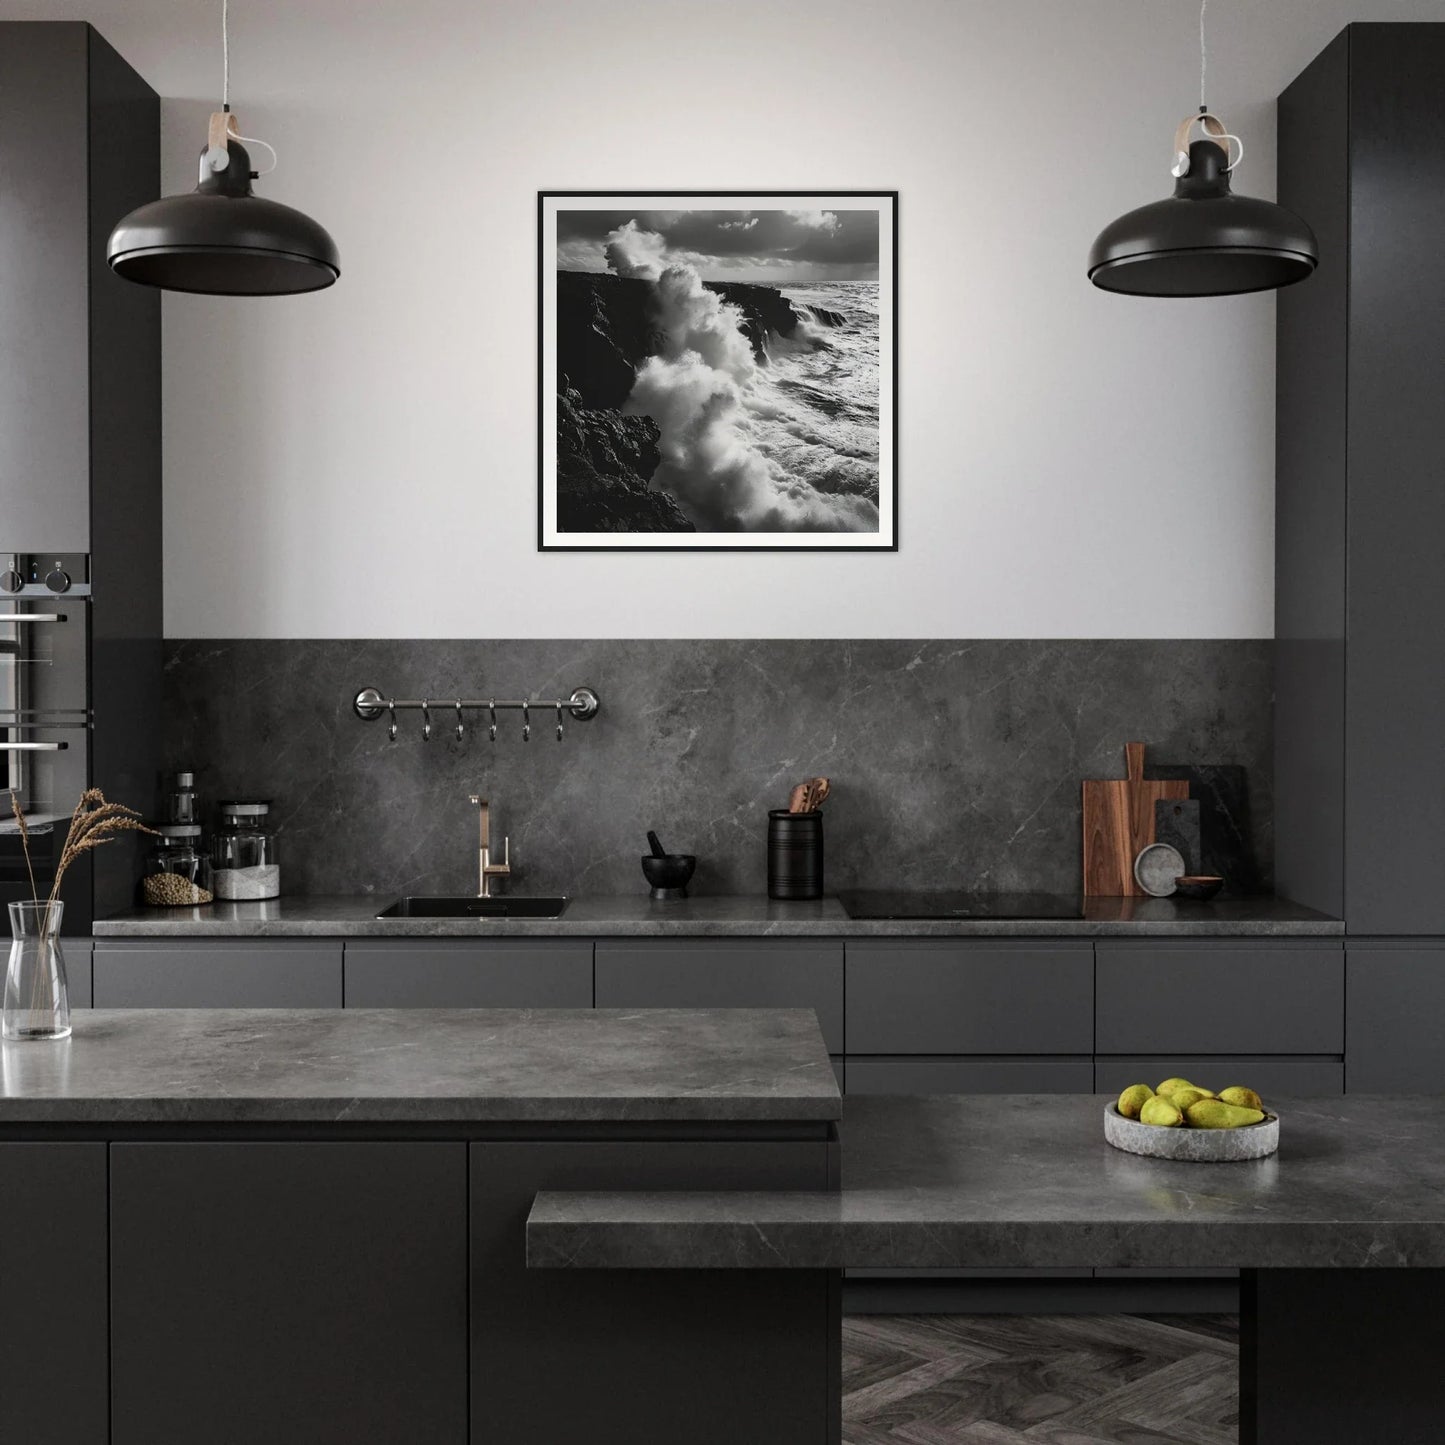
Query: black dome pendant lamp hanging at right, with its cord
[[1204, 241]]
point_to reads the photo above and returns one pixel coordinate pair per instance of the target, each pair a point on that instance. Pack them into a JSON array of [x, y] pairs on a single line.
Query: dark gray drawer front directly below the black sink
[[453, 975]]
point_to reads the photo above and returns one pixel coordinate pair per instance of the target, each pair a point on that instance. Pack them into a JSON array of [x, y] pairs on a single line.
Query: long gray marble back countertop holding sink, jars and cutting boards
[[719, 917]]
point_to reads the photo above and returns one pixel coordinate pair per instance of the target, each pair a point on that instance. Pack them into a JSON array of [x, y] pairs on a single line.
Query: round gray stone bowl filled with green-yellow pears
[[1183, 1121]]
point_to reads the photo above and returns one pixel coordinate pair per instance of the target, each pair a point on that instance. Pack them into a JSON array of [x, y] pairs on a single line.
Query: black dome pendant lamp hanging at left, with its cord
[[222, 239]]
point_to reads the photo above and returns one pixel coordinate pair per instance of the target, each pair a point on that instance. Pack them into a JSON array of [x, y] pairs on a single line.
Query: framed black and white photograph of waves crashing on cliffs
[[719, 371]]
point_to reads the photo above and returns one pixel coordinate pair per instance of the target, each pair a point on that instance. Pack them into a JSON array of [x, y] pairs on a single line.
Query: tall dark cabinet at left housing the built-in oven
[[80, 444]]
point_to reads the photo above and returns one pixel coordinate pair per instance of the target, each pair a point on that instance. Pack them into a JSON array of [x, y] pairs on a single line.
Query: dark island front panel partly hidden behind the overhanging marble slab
[[624, 1358]]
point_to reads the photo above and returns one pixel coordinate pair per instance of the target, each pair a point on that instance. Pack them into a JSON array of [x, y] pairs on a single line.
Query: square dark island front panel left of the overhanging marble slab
[[290, 1294]]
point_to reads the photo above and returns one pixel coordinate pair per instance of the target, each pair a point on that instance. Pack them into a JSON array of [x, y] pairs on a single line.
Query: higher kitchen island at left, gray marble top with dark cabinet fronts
[[309, 1226]]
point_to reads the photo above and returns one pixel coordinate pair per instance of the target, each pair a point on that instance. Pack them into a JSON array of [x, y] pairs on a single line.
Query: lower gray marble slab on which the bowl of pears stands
[[1027, 1181]]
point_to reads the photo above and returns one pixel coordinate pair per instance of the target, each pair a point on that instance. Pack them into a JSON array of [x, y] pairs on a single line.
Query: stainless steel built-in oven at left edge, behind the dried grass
[[46, 722]]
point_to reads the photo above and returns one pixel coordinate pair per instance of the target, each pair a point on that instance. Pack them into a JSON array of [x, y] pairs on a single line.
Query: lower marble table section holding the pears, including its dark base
[[1340, 1236]]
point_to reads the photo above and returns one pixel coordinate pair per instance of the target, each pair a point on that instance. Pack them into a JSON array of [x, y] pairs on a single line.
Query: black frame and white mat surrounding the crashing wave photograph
[[547, 385]]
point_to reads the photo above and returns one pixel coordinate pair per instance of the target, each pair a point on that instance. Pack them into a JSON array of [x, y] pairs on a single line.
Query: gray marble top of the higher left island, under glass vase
[[423, 1067]]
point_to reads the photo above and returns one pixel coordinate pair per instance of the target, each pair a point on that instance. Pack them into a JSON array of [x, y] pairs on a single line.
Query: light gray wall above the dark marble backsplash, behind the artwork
[[362, 463]]
